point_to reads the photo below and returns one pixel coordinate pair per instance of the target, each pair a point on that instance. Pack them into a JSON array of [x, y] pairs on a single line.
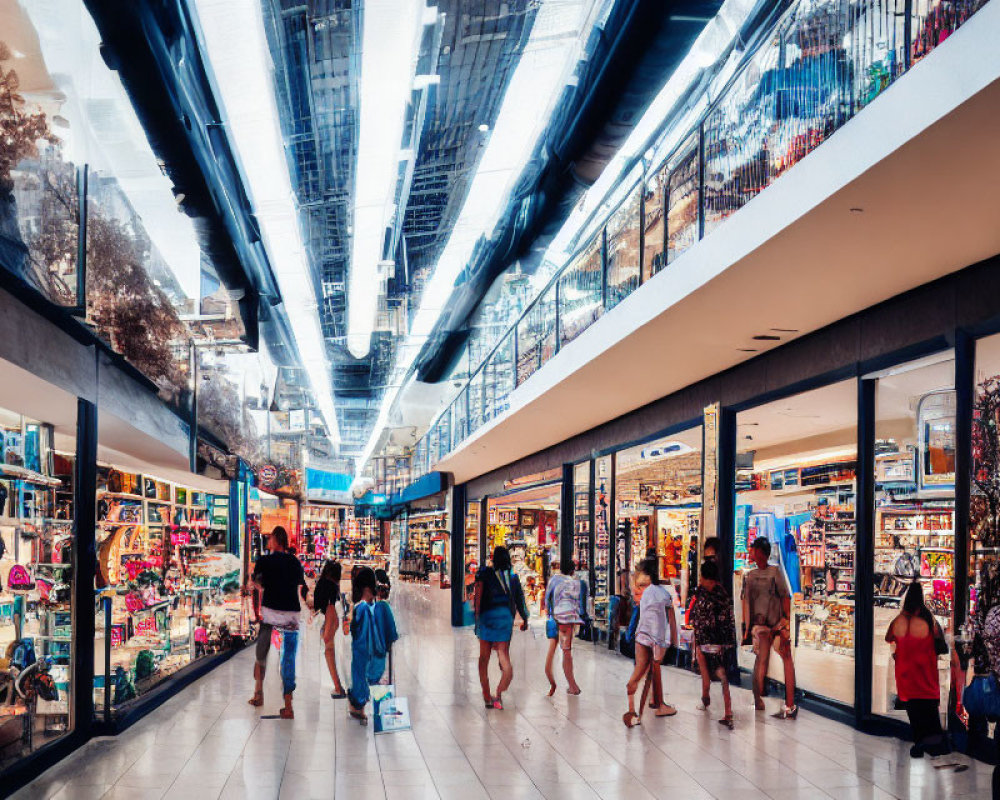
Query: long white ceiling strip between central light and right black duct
[[558, 35]]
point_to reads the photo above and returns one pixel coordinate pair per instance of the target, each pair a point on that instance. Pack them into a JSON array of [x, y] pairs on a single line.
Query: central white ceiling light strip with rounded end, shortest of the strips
[[390, 43]]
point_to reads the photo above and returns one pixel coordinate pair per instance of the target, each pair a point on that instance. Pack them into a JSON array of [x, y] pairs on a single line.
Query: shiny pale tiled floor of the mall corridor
[[207, 742]]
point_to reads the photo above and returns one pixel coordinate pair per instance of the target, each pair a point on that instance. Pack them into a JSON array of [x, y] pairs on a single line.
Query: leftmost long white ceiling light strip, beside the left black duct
[[235, 46]]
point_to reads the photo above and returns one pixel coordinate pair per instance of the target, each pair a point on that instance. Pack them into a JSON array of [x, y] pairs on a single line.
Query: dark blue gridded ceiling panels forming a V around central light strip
[[315, 46]]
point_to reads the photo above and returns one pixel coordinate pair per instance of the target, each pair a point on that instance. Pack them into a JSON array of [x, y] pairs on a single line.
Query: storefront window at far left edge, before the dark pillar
[[36, 579]]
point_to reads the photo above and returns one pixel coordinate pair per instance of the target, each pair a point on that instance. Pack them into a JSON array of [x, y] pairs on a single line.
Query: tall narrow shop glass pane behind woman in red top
[[914, 508]]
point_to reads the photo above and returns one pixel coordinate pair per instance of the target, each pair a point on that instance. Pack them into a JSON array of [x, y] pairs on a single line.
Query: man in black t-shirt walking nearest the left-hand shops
[[280, 578]]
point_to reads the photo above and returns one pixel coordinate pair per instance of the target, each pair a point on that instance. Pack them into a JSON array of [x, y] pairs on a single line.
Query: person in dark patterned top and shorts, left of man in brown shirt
[[715, 634]]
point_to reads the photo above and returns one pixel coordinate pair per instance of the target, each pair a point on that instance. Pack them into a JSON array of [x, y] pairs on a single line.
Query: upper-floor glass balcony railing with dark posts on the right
[[821, 63]]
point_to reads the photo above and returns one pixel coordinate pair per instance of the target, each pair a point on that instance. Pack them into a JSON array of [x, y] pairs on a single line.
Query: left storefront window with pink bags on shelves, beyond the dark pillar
[[168, 587]]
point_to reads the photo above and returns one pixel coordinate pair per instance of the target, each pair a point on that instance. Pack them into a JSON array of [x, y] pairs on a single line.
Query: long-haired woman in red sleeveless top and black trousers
[[919, 641]]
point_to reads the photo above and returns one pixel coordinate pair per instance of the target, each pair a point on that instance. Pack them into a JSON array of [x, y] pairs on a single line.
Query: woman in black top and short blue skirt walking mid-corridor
[[498, 595]]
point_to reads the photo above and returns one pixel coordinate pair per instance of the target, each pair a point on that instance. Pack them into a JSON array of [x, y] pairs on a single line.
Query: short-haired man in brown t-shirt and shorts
[[767, 606]]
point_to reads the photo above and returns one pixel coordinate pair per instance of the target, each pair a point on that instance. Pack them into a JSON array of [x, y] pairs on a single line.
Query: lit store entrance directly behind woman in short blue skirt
[[526, 521]]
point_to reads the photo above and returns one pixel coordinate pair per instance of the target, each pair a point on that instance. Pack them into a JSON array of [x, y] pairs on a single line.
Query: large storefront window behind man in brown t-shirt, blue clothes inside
[[795, 487]]
